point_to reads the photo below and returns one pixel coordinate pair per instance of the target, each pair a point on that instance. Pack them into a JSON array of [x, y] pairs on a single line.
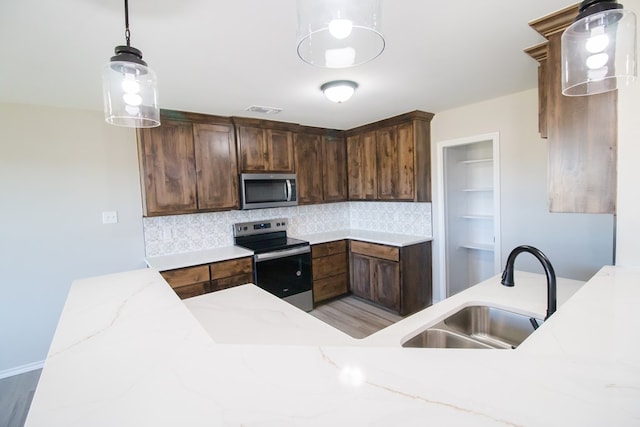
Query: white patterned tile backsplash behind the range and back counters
[[167, 235]]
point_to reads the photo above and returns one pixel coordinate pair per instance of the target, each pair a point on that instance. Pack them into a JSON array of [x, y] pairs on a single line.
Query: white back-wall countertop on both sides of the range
[[188, 259]]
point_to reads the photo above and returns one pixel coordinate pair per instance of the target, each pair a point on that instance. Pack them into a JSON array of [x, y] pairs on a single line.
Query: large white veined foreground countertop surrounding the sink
[[128, 352]]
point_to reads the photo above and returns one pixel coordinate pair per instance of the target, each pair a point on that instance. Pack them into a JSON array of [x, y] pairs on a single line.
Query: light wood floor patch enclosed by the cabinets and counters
[[354, 316]]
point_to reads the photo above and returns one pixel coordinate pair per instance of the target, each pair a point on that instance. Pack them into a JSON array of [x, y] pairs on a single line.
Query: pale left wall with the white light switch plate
[[59, 170]]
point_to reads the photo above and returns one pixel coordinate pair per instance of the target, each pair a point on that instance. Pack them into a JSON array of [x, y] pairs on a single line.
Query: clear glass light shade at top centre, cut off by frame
[[339, 33]]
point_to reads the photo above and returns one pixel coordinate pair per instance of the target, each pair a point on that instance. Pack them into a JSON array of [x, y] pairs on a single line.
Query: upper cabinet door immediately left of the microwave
[[216, 166]]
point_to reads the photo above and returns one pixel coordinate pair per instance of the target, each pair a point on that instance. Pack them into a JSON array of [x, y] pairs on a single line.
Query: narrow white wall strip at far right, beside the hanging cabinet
[[628, 224]]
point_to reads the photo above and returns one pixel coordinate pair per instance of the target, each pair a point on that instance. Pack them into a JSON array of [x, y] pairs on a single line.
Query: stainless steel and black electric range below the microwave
[[281, 264]]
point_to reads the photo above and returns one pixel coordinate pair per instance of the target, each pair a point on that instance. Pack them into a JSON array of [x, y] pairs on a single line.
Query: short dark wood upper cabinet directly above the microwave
[[264, 146]]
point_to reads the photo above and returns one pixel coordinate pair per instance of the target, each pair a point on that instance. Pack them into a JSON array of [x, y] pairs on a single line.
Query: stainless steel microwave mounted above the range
[[266, 190]]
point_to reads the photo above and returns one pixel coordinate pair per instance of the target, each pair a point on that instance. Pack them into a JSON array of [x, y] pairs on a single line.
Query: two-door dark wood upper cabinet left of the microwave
[[188, 164]]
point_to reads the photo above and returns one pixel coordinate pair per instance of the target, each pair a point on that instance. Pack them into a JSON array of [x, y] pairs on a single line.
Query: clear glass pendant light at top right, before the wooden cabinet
[[599, 49]]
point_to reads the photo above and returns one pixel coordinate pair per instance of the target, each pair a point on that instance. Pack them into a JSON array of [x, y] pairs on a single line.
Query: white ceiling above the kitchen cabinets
[[220, 57]]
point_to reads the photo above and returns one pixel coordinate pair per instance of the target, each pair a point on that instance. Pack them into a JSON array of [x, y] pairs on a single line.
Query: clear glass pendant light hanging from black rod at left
[[130, 87]]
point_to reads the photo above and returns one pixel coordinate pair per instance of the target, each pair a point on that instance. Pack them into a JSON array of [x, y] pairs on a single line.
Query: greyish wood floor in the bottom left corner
[[16, 393]]
